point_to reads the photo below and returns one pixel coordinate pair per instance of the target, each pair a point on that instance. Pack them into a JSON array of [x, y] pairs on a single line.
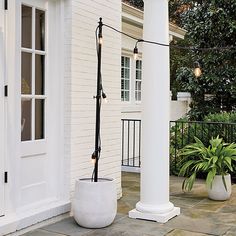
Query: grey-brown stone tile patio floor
[[199, 215]]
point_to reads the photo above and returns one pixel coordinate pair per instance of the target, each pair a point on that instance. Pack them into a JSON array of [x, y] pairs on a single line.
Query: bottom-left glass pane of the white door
[[26, 119]]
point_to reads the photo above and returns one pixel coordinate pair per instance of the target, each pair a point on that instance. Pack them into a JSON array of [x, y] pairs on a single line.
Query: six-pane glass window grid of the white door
[[32, 74]]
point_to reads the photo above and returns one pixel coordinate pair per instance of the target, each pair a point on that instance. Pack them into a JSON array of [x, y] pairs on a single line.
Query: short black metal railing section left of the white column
[[131, 142]]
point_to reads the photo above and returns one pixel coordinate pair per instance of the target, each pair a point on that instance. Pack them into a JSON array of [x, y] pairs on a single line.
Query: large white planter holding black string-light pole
[[95, 201]]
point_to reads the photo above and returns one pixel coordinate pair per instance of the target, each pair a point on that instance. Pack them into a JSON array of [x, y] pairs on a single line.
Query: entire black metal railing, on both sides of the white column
[[181, 134]]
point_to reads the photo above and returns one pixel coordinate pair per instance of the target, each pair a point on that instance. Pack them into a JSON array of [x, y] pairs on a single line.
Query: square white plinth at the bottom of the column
[[160, 218]]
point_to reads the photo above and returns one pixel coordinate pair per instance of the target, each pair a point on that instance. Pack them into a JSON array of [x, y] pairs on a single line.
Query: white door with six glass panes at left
[[38, 101]]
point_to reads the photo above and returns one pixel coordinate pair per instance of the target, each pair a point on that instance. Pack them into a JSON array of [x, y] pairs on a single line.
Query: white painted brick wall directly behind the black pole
[[81, 19]]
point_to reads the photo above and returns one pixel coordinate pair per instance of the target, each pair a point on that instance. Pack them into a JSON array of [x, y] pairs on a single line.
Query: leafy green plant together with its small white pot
[[214, 160]]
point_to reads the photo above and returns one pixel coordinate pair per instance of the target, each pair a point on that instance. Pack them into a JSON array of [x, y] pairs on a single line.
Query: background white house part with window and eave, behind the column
[[132, 23]]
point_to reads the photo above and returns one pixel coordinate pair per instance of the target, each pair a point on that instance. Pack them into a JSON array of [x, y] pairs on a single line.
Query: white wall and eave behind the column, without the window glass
[[132, 25]]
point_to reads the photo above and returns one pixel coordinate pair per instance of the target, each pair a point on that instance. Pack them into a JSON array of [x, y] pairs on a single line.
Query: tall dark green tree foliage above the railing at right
[[209, 24]]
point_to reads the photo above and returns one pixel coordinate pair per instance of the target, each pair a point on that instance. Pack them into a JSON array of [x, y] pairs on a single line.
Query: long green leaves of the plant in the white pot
[[216, 159]]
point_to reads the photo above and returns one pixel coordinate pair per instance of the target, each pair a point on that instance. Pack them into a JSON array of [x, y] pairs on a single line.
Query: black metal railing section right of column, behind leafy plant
[[183, 132]]
